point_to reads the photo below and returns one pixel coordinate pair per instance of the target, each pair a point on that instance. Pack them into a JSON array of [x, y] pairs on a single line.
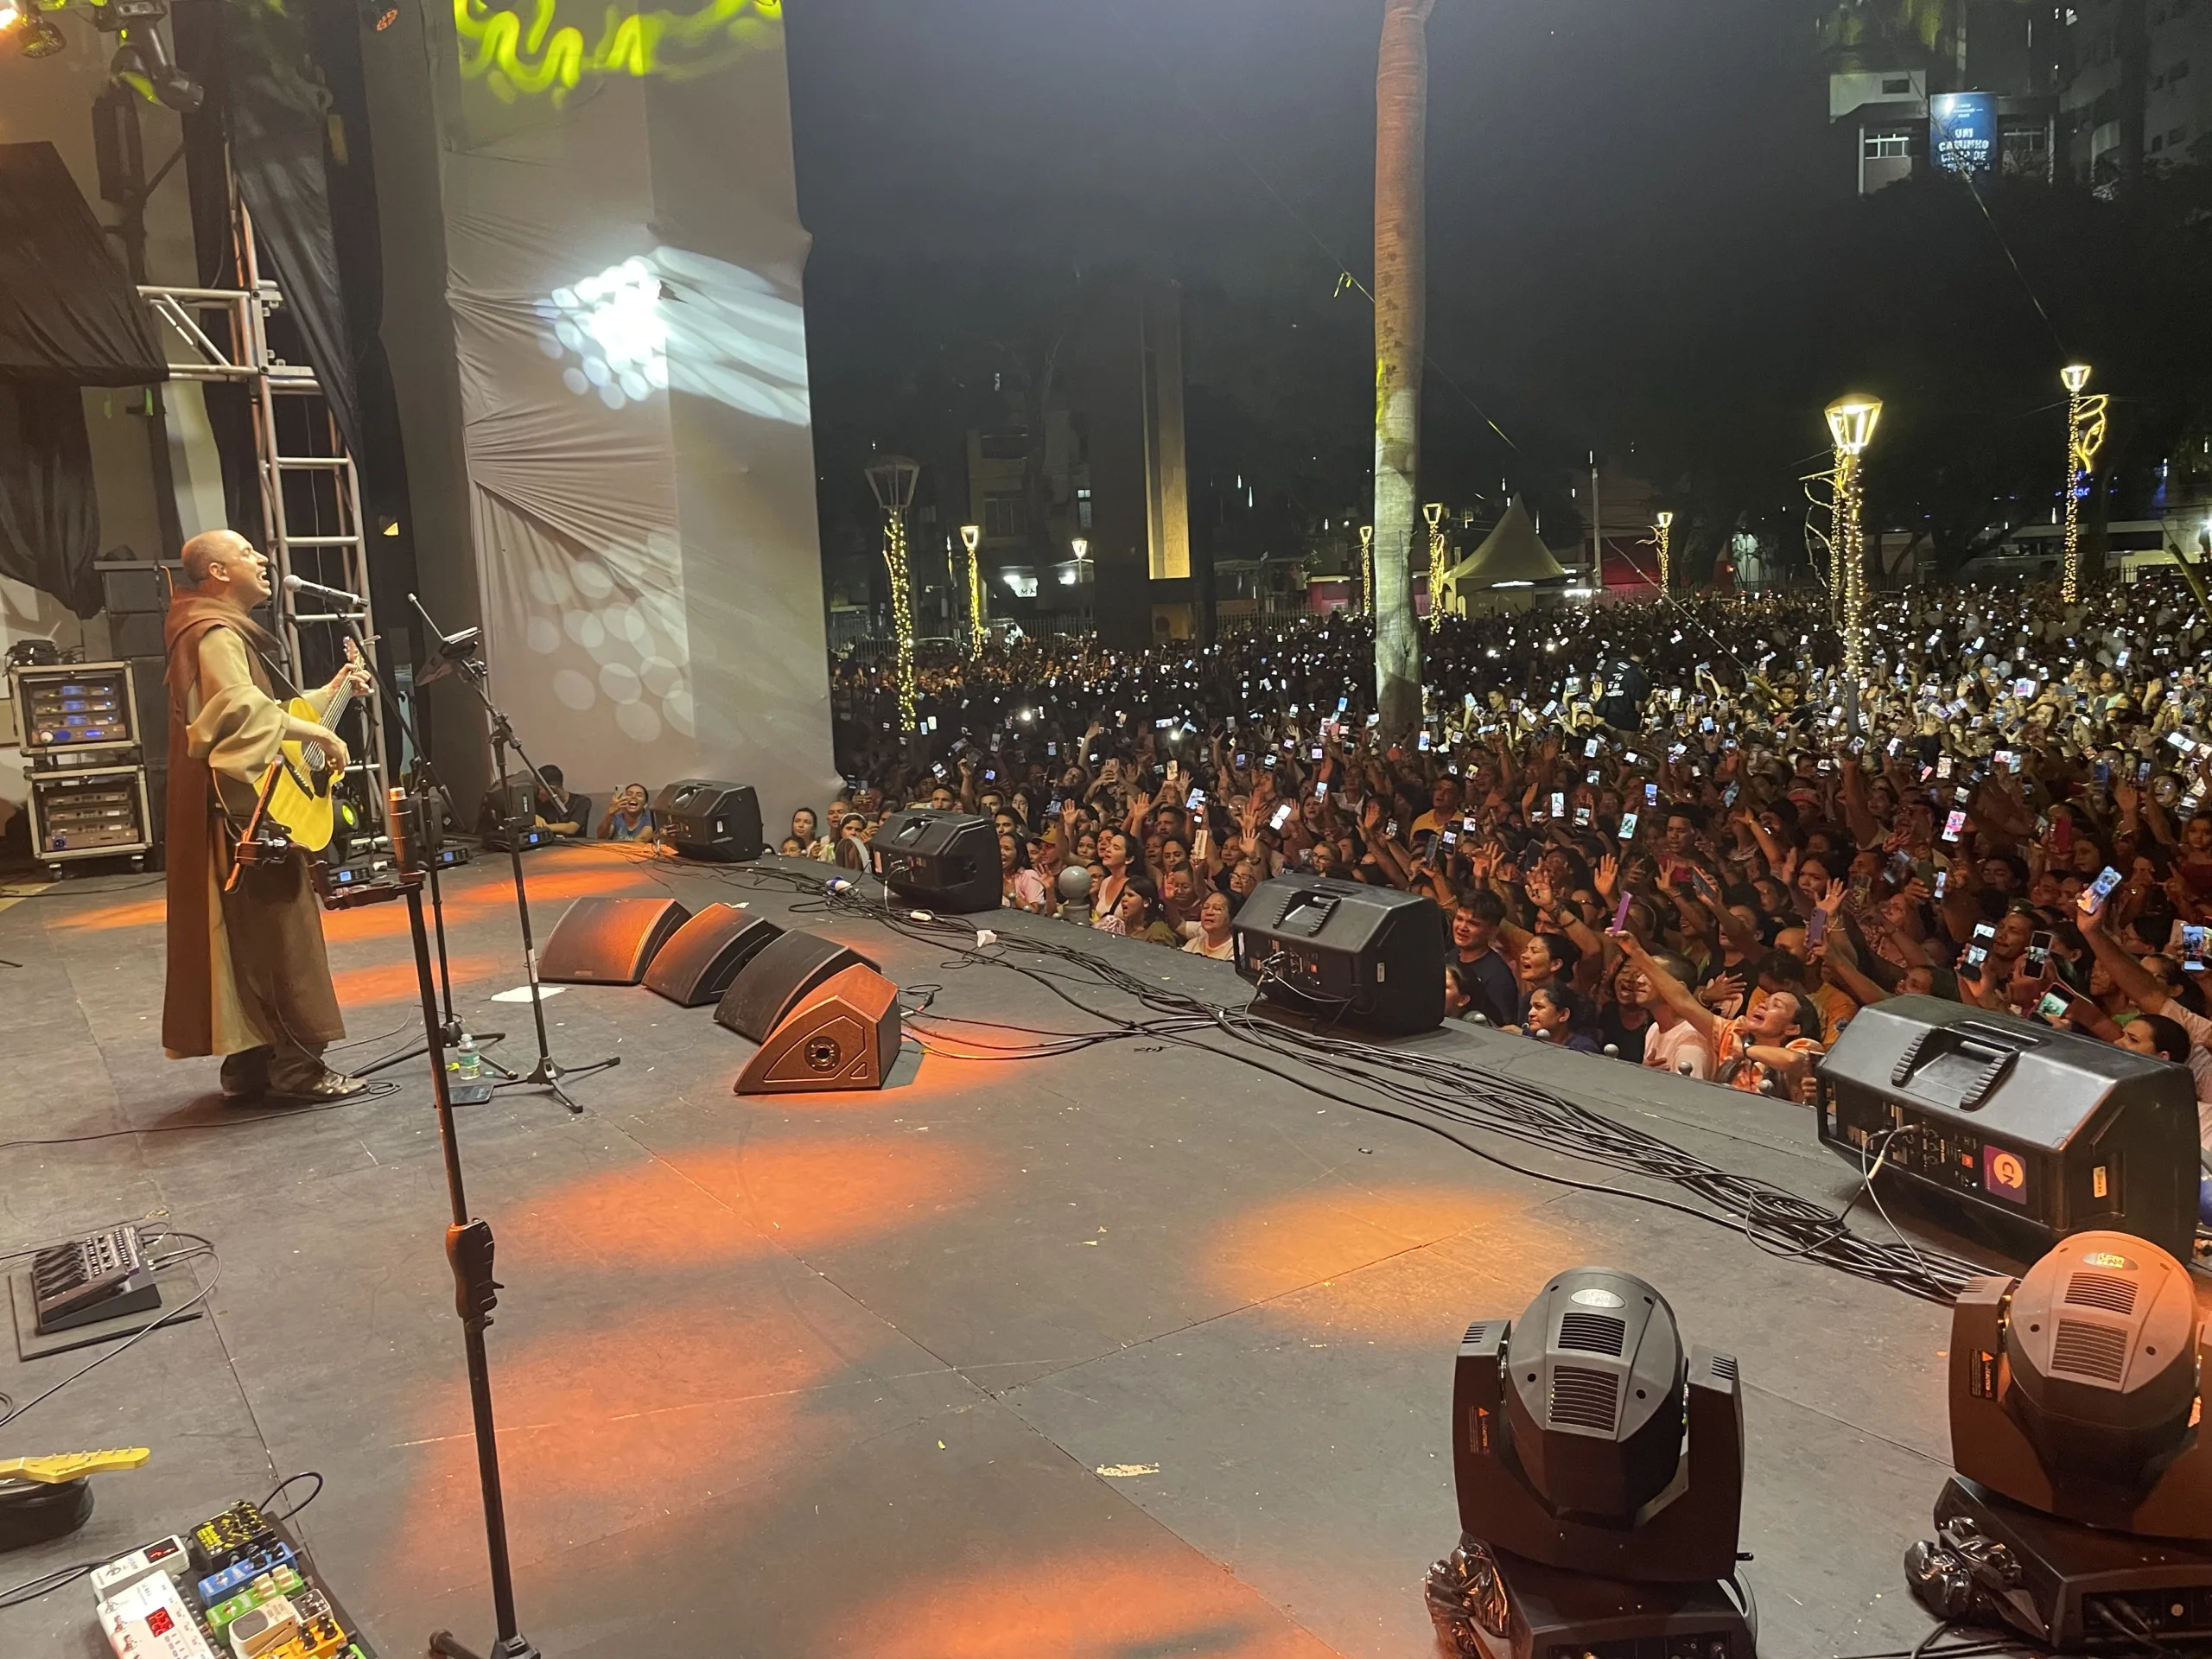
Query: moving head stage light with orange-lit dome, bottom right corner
[[2083, 1505]]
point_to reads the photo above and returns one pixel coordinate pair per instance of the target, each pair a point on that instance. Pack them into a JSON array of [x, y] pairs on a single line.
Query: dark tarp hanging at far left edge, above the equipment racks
[[70, 317]]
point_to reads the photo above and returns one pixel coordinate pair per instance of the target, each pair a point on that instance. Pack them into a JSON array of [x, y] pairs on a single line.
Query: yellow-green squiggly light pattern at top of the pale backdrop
[[519, 59]]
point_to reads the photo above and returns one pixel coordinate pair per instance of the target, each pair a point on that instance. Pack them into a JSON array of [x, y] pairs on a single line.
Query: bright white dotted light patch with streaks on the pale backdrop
[[685, 322]]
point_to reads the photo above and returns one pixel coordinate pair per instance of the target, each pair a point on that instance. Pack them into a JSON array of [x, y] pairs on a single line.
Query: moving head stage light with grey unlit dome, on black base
[[1600, 1479]]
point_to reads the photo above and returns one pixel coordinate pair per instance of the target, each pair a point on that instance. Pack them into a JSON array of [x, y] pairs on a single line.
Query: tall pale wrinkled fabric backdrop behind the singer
[[625, 291]]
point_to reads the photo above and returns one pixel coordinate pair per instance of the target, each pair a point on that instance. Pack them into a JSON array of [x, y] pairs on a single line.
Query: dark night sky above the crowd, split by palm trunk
[[1585, 158]]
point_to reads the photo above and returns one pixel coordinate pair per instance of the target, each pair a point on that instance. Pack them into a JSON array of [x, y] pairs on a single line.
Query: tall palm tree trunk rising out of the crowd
[[1401, 337]]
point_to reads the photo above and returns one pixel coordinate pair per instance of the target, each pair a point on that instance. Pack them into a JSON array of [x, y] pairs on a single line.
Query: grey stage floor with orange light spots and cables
[[1127, 1353]]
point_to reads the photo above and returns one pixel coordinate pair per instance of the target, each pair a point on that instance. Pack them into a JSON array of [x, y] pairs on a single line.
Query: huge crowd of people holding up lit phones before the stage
[[1667, 833]]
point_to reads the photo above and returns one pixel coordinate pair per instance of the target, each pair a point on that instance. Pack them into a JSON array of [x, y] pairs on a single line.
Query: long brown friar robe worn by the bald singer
[[247, 970]]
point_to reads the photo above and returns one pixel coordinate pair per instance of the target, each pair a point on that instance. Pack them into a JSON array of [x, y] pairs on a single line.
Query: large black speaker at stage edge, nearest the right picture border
[[2014, 1131]]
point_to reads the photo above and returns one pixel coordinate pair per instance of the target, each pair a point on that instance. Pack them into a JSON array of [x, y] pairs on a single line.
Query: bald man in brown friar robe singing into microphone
[[247, 968]]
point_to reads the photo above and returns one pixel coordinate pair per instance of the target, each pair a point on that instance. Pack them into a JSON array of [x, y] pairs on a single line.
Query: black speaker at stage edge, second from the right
[[1339, 950]]
